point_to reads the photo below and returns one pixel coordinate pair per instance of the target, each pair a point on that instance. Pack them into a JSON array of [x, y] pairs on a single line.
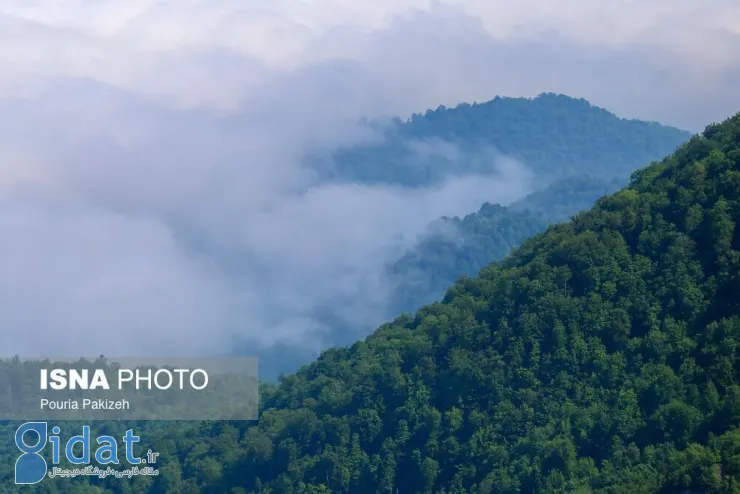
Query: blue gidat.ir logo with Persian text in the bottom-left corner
[[32, 438]]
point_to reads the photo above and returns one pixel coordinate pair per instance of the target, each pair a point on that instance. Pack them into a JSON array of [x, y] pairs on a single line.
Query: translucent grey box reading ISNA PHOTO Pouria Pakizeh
[[130, 388]]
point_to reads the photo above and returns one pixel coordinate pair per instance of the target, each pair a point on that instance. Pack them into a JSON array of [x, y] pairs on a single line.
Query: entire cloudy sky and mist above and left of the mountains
[[151, 197]]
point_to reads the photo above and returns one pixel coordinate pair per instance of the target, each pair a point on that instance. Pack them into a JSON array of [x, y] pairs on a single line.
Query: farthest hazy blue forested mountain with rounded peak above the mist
[[555, 136]]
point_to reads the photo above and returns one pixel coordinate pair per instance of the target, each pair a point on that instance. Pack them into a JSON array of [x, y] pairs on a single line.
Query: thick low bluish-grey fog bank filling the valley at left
[[141, 229]]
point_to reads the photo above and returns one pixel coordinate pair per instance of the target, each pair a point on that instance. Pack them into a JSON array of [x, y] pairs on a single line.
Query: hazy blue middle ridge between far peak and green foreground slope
[[457, 247]]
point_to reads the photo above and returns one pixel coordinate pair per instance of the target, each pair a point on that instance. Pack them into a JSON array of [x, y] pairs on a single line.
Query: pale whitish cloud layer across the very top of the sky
[[213, 52]]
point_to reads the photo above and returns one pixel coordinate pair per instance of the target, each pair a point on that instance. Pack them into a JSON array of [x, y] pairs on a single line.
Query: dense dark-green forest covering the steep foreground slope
[[601, 356]]
